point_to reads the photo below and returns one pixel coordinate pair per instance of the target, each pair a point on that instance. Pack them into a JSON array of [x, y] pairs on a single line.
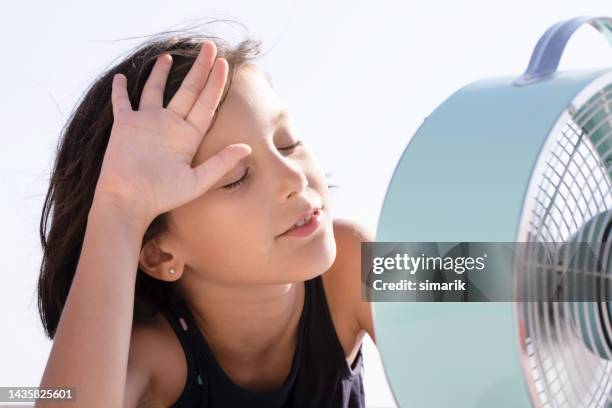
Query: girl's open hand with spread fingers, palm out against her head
[[147, 164]]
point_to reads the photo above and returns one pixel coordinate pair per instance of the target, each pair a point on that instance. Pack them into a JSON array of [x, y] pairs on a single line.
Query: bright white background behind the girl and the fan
[[358, 77]]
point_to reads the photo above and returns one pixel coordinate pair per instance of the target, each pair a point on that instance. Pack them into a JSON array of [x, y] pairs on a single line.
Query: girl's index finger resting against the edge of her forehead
[[202, 112]]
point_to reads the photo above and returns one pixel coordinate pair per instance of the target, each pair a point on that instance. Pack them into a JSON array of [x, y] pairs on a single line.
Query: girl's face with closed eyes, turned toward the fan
[[232, 235]]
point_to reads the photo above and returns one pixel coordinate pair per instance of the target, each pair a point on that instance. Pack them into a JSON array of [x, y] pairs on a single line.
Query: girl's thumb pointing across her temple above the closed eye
[[213, 169]]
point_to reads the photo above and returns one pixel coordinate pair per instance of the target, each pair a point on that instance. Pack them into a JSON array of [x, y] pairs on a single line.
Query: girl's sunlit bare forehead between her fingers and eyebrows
[[247, 112]]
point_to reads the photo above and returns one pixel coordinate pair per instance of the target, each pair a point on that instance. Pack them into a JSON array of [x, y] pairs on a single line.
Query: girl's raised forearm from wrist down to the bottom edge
[[90, 348]]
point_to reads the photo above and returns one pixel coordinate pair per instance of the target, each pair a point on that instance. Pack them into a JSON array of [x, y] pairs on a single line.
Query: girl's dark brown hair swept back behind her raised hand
[[78, 161]]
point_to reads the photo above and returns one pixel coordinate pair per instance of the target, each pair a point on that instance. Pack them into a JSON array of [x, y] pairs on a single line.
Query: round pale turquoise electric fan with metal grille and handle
[[524, 159]]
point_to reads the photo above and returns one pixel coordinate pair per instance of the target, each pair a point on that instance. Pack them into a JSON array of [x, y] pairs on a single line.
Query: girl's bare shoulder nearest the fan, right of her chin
[[352, 317]]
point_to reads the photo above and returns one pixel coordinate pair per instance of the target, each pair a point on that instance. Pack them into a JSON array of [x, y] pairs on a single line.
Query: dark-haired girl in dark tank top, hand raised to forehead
[[192, 255]]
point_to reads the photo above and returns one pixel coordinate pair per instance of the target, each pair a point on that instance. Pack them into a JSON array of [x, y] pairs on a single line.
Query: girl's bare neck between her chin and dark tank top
[[245, 324]]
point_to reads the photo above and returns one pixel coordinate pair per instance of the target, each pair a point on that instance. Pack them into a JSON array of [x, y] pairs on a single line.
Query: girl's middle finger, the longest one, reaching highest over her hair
[[194, 81]]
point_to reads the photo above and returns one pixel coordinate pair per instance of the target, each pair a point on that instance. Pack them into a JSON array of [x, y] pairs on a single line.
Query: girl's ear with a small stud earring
[[158, 258]]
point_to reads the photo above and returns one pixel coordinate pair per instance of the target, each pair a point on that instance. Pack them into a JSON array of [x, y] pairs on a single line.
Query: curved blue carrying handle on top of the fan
[[549, 49]]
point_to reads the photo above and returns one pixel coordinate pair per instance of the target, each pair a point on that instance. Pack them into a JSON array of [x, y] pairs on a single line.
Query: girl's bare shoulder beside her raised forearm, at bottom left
[[154, 350]]
